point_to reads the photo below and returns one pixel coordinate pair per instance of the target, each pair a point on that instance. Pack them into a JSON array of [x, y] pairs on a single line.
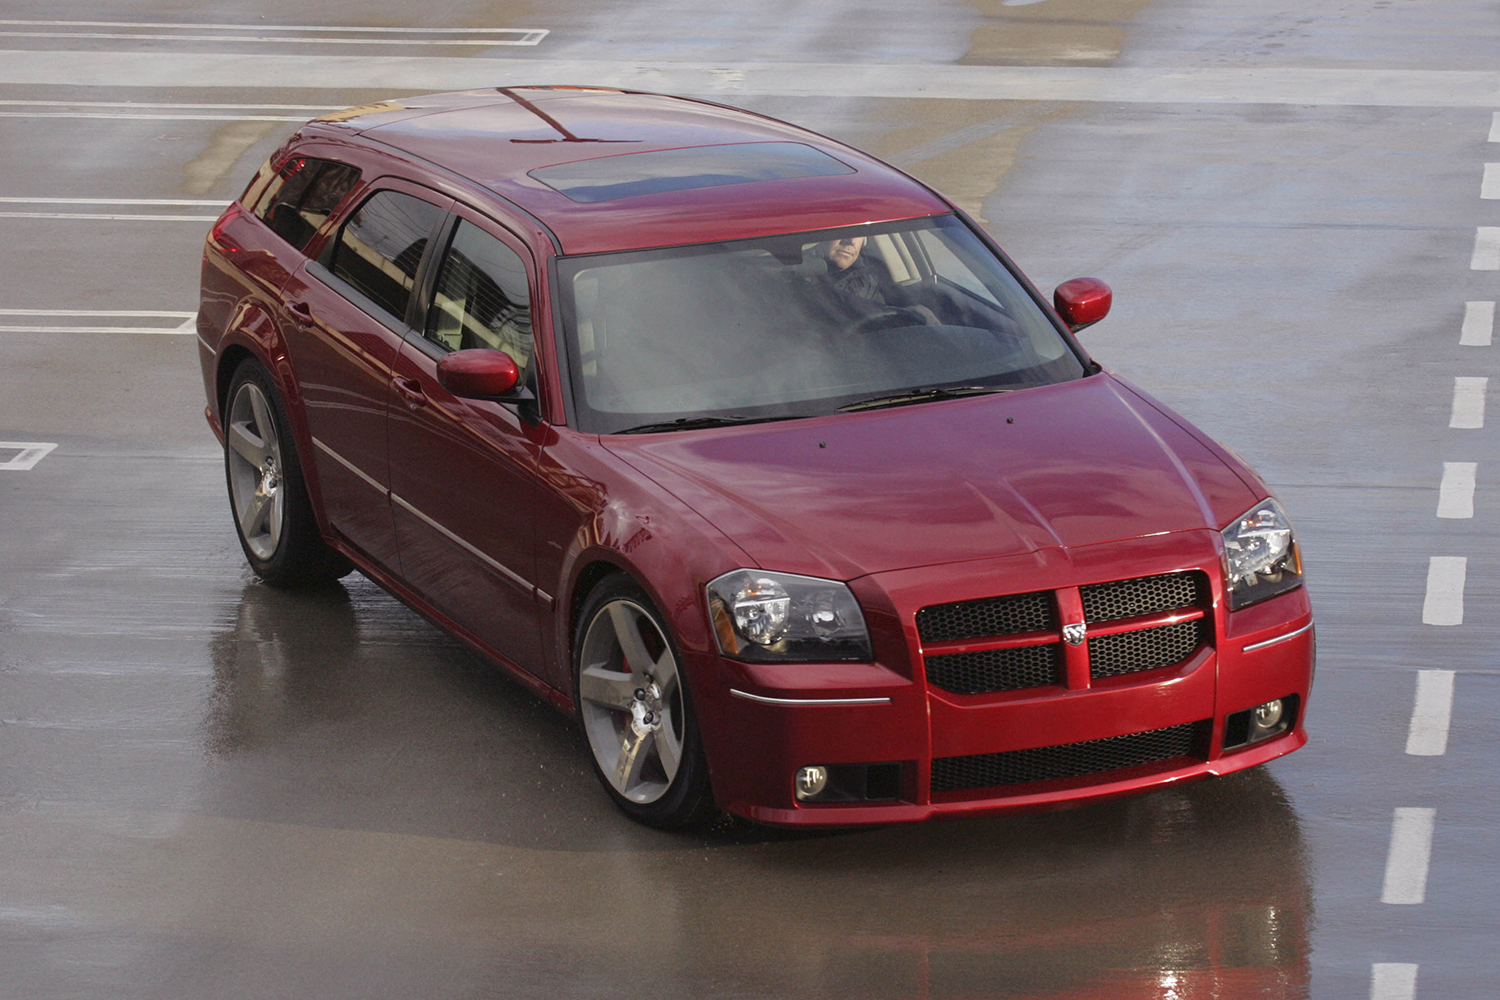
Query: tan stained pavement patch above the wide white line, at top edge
[[1052, 34]]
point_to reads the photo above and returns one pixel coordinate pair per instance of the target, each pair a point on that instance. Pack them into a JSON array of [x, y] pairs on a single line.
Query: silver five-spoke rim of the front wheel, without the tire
[[631, 698]]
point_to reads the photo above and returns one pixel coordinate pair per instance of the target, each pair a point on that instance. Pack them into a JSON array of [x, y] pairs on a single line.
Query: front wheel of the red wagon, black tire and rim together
[[635, 710]]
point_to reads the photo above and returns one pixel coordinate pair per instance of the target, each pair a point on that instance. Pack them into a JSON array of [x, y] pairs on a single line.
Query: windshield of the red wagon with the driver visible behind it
[[802, 325]]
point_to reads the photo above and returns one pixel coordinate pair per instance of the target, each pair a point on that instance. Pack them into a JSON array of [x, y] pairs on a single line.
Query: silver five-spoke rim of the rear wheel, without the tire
[[256, 470]]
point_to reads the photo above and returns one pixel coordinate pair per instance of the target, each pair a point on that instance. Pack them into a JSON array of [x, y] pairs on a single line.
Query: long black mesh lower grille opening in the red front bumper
[[1069, 761]]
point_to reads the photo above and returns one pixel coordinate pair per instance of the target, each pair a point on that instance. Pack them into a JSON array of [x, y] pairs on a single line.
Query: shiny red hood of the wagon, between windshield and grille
[[1067, 466]]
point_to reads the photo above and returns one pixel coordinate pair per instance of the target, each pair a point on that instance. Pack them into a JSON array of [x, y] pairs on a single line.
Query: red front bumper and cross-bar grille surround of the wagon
[[1076, 740]]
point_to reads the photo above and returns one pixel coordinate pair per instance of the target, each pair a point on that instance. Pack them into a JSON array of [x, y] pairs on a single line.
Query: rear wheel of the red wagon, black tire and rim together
[[268, 496]]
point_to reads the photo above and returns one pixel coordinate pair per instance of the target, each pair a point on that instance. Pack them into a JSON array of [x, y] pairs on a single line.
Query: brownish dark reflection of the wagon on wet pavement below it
[[343, 710]]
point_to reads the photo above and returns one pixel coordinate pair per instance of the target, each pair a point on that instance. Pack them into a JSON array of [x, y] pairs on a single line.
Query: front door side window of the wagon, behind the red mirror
[[482, 299]]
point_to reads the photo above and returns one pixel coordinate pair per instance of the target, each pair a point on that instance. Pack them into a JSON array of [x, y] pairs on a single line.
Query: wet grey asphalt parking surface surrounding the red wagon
[[209, 788]]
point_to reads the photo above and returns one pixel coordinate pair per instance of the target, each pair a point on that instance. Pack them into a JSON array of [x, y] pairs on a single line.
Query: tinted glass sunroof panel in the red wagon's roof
[[632, 175]]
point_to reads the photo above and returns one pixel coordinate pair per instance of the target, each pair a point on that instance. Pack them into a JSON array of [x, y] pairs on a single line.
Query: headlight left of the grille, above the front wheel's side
[[784, 618]]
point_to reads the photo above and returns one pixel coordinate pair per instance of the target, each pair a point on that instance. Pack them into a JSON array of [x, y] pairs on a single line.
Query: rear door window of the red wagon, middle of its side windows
[[382, 245]]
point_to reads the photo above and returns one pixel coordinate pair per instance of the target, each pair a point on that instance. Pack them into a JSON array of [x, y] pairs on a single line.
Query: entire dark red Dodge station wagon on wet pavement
[[749, 452]]
